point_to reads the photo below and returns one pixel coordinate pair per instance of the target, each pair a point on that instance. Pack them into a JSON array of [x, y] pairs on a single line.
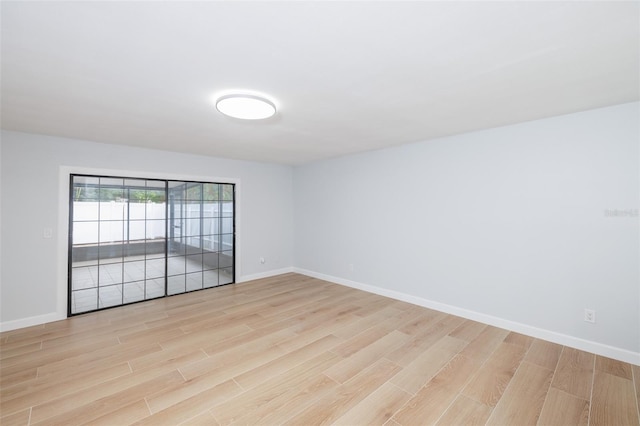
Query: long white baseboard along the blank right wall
[[539, 333]]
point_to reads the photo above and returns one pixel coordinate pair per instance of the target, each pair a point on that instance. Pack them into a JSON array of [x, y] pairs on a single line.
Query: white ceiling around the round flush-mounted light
[[346, 76]]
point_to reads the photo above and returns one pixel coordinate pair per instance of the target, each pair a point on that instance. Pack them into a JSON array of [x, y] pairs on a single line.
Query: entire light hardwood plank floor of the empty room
[[299, 351]]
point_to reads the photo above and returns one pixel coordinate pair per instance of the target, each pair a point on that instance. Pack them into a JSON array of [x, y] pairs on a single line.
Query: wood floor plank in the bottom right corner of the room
[[614, 401]]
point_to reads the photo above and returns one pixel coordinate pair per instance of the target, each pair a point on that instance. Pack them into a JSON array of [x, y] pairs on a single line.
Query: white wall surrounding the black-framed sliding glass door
[[34, 184]]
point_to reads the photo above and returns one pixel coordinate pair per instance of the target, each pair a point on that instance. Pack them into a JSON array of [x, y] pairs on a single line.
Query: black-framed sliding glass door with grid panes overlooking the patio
[[137, 239]]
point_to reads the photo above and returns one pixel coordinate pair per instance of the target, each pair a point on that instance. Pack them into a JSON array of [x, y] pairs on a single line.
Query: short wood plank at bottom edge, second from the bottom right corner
[[561, 408]]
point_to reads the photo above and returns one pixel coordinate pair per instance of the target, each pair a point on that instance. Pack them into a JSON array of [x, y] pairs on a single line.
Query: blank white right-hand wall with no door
[[506, 225]]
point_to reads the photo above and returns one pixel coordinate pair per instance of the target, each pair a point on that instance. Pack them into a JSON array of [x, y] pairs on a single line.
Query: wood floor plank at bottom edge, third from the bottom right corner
[[523, 400]]
